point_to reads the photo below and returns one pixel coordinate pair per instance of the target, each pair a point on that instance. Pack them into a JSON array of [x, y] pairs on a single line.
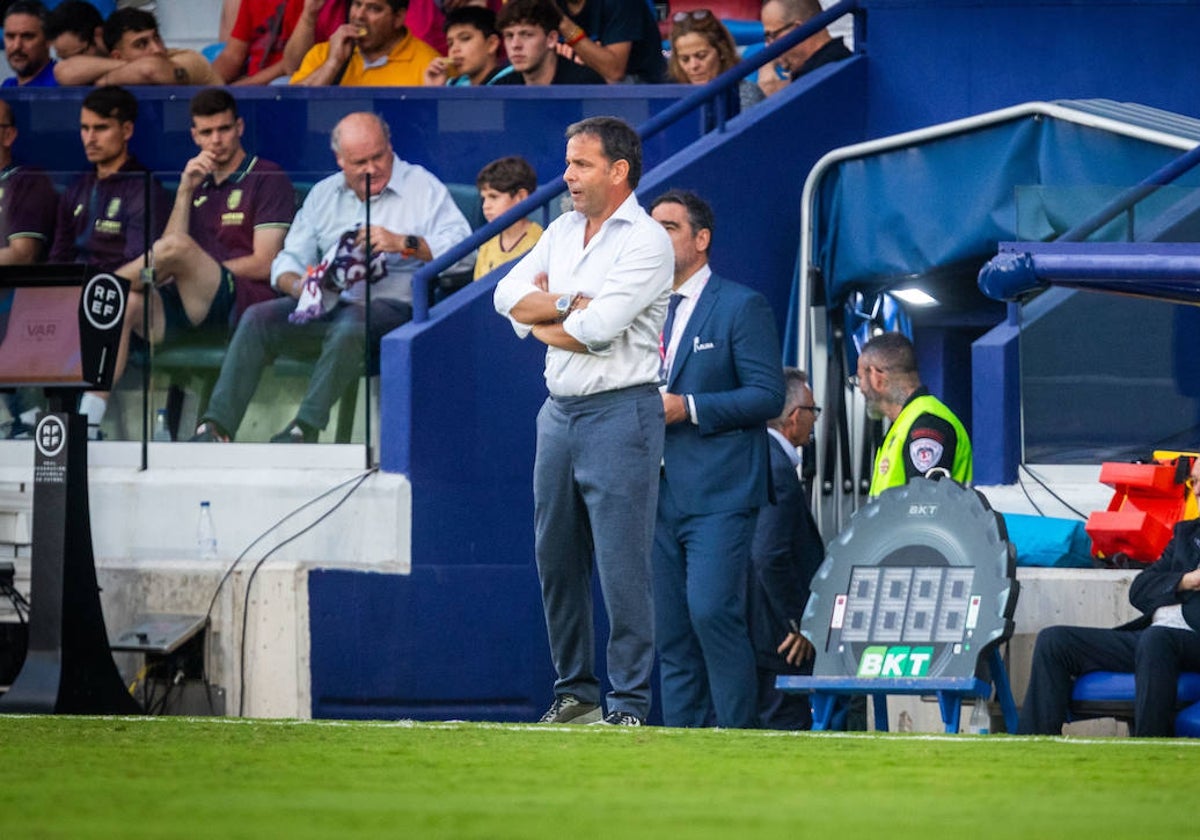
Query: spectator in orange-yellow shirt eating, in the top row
[[375, 49]]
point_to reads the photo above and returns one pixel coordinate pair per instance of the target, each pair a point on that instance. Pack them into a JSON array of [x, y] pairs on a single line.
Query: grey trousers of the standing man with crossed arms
[[596, 491]]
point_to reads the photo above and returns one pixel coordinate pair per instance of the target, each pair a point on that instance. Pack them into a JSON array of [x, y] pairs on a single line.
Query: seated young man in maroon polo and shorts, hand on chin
[[232, 211]]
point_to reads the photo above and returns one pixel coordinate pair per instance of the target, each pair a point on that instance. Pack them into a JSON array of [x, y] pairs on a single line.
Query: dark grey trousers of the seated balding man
[[335, 341]]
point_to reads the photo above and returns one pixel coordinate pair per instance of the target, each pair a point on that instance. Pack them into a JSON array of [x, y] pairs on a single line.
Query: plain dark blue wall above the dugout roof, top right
[[938, 61]]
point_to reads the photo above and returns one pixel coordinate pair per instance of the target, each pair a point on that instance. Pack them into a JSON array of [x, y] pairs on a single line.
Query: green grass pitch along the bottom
[[224, 778]]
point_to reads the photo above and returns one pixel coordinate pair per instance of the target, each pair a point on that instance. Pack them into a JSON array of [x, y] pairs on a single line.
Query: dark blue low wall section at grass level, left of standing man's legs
[[443, 643]]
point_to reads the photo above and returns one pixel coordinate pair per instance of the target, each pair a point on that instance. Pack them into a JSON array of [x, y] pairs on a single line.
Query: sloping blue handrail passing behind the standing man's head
[[712, 93]]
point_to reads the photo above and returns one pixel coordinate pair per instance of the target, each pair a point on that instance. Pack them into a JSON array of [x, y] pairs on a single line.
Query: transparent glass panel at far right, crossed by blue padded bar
[[1108, 377]]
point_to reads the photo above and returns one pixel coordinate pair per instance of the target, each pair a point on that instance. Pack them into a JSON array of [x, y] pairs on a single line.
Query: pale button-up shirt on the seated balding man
[[415, 203]]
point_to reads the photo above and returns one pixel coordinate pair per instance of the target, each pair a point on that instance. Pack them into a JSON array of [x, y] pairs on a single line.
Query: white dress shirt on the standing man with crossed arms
[[627, 271]]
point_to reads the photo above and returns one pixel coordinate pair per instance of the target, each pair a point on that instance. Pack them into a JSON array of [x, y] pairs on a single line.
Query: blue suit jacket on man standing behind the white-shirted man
[[729, 361]]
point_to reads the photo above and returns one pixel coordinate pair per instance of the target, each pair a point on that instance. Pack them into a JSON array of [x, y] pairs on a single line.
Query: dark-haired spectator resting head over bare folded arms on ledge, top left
[[136, 56]]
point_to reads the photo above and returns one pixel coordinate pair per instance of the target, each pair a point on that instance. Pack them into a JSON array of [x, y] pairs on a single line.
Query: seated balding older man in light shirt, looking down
[[413, 219]]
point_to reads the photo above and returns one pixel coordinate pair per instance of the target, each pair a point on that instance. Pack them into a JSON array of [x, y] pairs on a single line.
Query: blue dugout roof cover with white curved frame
[[933, 206]]
